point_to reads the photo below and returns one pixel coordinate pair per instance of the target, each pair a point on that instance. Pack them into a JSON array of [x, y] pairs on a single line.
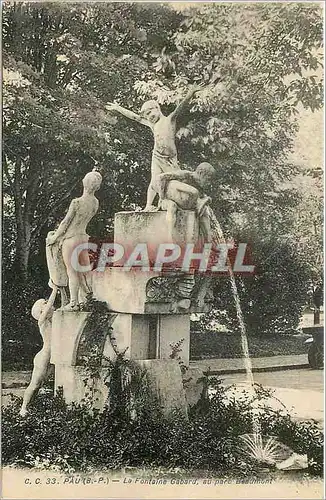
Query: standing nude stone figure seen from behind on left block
[[70, 234]]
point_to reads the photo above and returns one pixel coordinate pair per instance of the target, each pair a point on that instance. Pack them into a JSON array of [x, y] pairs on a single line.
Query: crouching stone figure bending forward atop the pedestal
[[185, 190]]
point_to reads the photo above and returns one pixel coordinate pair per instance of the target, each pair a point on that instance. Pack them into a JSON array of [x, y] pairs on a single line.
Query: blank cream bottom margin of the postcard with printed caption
[[31, 484]]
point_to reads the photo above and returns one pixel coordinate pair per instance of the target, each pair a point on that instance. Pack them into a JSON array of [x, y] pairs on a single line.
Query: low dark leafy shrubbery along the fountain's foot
[[73, 437]]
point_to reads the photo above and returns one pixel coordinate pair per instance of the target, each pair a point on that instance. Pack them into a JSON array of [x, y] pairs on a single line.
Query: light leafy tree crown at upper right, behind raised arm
[[244, 124]]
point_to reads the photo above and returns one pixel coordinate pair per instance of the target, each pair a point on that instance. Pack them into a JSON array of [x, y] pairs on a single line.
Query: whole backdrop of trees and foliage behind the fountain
[[262, 63]]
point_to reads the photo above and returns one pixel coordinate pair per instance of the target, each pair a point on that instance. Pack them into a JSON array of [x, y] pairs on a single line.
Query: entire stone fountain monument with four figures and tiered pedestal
[[147, 312]]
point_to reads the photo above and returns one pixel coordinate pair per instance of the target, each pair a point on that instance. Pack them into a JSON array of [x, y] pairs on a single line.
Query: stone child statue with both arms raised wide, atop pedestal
[[164, 157]]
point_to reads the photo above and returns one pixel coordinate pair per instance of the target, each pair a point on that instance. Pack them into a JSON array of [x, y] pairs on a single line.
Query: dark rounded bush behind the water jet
[[272, 299]]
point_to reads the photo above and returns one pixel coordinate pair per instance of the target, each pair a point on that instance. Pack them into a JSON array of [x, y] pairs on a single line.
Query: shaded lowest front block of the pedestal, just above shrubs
[[165, 380]]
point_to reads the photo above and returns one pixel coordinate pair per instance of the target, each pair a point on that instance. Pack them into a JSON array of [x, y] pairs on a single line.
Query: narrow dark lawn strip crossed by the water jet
[[210, 344]]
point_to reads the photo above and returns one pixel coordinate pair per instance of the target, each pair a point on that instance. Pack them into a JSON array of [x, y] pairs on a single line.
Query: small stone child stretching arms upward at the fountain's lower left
[[42, 311]]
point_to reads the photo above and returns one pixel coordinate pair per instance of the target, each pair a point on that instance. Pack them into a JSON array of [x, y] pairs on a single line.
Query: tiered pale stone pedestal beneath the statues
[[149, 313]]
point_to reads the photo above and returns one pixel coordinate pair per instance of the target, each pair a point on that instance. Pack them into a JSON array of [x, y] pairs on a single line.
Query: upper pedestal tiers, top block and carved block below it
[[133, 290]]
